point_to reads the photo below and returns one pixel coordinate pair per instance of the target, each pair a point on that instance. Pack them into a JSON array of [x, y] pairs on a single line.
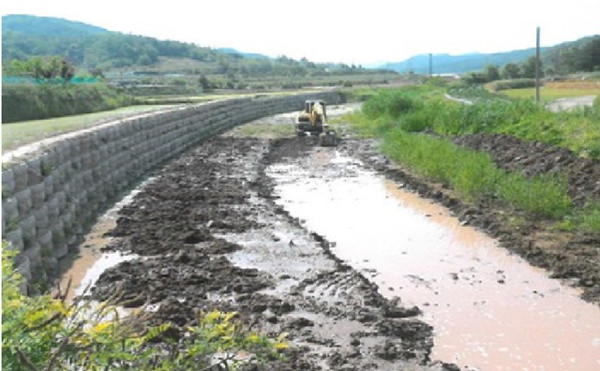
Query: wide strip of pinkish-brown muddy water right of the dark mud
[[490, 310]]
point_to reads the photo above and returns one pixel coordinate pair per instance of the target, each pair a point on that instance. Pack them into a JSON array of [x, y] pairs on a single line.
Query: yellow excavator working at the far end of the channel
[[312, 120]]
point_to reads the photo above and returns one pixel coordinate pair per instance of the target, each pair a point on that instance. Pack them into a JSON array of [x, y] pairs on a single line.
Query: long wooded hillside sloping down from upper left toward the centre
[[90, 47]]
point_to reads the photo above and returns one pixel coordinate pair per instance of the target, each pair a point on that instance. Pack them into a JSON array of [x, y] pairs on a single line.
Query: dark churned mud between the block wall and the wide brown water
[[213, 207]]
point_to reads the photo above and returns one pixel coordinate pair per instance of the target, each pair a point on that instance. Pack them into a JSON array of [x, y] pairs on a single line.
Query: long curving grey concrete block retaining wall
[[48, 201]]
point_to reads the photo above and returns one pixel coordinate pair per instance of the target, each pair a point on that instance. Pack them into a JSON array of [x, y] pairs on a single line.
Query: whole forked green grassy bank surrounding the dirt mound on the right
[[398, 118]]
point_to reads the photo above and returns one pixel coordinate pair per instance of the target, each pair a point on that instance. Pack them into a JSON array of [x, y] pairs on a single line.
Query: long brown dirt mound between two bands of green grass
[[534, 158]]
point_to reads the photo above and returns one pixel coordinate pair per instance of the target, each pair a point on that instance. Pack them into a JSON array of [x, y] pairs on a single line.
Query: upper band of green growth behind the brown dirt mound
[[578, 130]]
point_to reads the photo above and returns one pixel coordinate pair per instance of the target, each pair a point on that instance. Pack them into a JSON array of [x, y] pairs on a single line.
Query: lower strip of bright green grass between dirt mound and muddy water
[[475, 176]]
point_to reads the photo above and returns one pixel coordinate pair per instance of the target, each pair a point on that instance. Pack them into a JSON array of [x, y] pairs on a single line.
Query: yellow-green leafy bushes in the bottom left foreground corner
[[46, 333]]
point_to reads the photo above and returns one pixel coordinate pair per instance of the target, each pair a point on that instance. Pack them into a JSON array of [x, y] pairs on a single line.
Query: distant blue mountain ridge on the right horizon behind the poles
[[445, 63]]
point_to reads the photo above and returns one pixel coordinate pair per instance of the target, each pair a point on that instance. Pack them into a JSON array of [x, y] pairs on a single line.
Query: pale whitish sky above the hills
[[353, 32]]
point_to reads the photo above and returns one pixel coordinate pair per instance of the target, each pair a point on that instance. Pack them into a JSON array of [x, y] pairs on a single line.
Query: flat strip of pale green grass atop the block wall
[[20, 133]]
